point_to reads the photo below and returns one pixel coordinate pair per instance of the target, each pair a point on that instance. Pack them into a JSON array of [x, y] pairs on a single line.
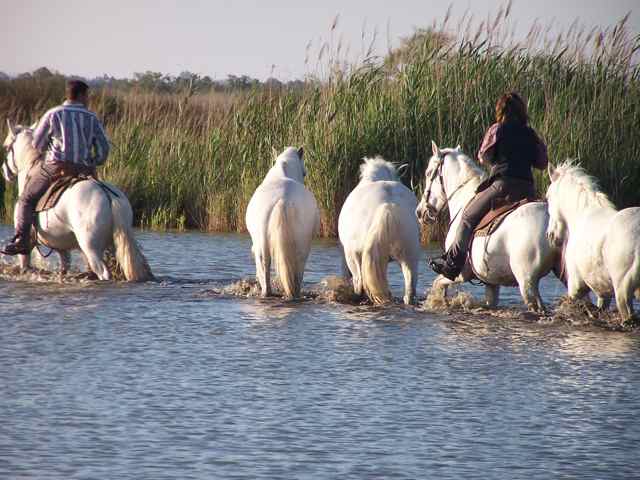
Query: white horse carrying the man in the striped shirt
[[86, 216]]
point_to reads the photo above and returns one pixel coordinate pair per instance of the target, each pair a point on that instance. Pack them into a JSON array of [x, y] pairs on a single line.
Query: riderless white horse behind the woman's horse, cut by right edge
[[602, 244]]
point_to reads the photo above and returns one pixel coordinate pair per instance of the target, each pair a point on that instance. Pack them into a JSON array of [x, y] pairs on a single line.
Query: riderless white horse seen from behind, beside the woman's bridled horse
[[377, 224]]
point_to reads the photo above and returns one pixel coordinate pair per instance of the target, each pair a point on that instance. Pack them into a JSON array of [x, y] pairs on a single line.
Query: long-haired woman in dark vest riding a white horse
[[511, 147]]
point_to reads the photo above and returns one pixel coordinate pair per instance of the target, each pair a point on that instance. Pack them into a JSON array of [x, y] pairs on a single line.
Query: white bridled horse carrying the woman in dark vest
[[516, 253]]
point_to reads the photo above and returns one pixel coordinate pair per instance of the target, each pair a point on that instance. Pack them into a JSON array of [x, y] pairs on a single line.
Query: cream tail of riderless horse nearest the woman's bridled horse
[[376, 252]]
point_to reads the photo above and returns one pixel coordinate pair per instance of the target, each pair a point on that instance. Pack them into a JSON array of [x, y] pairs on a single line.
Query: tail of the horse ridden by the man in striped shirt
[[128, 254]]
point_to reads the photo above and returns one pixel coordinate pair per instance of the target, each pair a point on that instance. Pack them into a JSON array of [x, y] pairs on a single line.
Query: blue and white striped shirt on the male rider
[[71, 133]]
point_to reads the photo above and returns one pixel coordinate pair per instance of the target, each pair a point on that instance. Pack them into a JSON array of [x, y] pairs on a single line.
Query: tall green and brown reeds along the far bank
[[193, 160]]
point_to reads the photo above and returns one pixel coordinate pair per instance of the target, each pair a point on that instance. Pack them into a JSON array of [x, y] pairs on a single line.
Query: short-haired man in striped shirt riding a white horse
[[73, 142]]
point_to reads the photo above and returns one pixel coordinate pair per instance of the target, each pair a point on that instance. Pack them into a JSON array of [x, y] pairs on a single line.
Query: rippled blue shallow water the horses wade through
[[181, 379]]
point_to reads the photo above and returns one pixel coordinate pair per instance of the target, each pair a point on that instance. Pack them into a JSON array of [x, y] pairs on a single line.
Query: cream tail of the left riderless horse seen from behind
[[283, 248]]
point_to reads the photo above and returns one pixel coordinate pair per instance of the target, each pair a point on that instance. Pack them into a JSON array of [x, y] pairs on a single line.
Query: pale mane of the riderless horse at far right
[[583, 187]]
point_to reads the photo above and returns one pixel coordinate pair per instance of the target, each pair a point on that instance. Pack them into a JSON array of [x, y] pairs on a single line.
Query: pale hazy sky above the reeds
[[244, 37]]
